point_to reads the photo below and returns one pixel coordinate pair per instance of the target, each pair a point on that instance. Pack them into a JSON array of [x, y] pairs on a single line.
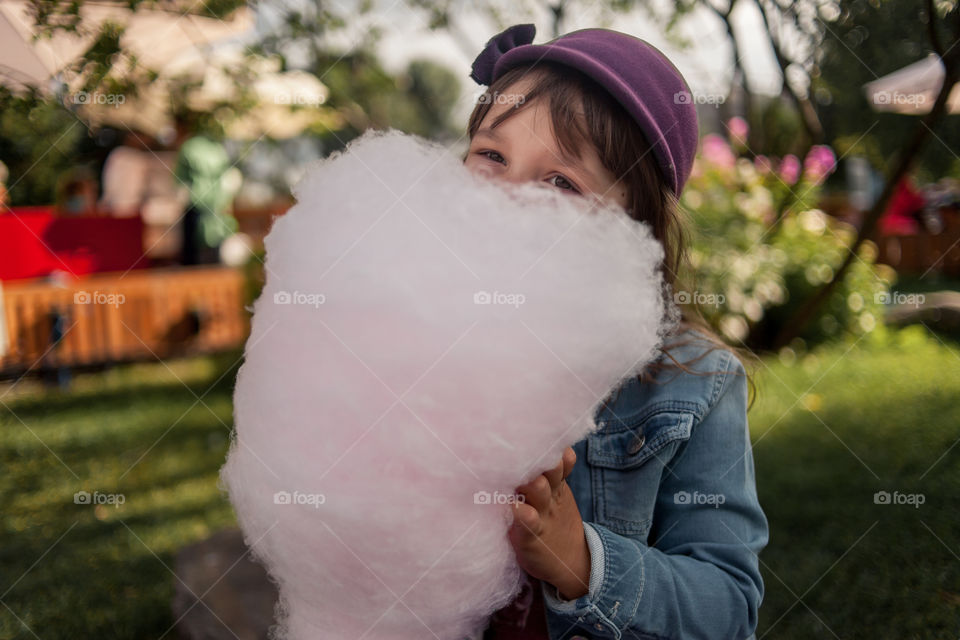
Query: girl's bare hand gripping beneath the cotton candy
[[547, 532]]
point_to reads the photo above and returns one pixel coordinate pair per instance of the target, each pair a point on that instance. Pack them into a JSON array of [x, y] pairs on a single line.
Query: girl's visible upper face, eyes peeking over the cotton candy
[[523, 148]]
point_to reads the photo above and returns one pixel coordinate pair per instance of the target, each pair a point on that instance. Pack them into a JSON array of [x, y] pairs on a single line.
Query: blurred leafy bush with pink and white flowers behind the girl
[[760, 246]]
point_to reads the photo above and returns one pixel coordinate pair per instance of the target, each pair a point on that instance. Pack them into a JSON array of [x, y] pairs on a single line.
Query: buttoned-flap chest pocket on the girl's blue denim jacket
[[628, 459]]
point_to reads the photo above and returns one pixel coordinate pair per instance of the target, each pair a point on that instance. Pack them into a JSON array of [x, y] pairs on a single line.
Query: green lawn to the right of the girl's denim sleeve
[[875, 418]]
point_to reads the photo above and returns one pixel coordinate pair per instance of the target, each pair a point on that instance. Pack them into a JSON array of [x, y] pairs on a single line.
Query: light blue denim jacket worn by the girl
[[667, 493]]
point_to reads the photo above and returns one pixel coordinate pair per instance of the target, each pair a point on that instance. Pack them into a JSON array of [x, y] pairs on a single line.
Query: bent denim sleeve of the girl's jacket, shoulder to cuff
[[699, 576]]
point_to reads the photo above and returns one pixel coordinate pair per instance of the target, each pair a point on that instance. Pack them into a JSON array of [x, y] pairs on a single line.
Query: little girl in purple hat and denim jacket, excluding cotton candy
[[650, 527]]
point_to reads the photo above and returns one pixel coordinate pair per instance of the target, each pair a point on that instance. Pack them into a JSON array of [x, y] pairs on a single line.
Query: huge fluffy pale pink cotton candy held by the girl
[[427, 340]]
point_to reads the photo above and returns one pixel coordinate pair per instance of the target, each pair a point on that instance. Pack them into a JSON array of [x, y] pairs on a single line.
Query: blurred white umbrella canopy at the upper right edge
[[912, 89]]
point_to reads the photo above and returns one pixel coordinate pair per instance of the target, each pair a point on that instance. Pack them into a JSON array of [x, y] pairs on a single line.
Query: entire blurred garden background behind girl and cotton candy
[[146, 146]]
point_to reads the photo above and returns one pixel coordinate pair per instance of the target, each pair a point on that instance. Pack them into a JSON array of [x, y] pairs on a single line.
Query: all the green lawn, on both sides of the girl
[[830, 430]]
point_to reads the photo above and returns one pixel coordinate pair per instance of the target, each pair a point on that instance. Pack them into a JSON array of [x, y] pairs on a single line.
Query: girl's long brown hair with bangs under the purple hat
[[582, 112]]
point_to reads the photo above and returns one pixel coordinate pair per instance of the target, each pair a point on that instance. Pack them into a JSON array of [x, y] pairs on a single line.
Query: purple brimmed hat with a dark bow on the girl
[[635, 73]]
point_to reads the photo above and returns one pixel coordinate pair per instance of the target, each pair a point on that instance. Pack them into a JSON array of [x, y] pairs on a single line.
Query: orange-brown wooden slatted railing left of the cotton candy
[[113, 317]]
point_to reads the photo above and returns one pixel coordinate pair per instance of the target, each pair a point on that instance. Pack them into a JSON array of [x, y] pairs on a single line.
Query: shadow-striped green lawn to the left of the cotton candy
[[79, 571]]
